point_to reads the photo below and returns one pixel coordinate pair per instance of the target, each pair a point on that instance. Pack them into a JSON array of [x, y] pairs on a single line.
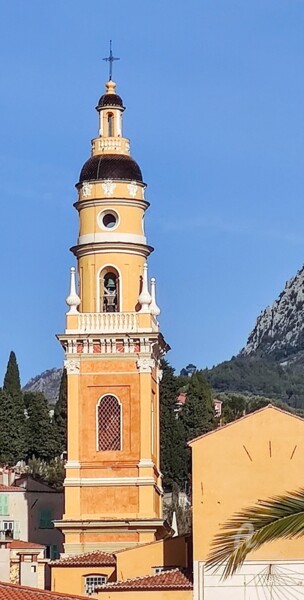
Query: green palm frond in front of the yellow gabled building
[[276, 518]]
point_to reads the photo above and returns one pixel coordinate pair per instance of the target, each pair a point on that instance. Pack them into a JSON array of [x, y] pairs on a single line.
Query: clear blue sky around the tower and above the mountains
[[214, 91]]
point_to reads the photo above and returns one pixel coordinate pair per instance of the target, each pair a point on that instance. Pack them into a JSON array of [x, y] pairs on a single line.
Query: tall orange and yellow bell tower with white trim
[[112, 347]]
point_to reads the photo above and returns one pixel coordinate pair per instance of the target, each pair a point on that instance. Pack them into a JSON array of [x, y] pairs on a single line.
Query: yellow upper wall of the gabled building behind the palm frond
[[259, 456]]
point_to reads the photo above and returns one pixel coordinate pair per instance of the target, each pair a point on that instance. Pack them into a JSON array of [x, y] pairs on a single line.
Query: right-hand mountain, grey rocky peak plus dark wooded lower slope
[[271, 364]]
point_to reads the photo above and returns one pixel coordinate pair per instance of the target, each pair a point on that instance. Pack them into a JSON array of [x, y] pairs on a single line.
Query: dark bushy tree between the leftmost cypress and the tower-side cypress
[[41, 441]]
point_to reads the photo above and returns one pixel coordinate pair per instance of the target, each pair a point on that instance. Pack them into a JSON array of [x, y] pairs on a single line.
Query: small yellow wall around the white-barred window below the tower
[[71, 580]]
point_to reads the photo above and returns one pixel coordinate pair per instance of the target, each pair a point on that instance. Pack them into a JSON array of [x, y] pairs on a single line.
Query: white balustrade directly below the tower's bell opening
[[127, 322]]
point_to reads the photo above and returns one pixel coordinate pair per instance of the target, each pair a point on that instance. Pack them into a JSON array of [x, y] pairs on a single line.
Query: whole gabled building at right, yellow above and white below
[[256, 457]]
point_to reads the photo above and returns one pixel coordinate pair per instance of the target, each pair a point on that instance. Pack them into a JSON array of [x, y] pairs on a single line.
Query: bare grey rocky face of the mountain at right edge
[[279, 330]]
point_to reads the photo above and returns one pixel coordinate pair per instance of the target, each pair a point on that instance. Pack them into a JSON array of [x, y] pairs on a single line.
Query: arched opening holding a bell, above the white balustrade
[[108, 288]]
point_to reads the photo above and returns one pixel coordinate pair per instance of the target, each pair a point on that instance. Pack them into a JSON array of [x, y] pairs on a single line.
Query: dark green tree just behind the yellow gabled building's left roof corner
[[197, 414]]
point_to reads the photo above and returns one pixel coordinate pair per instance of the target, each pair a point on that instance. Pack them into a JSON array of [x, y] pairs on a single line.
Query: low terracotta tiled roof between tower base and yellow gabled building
[[174, 579]]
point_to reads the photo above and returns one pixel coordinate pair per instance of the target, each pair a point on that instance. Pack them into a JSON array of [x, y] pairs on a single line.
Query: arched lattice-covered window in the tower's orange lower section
[[109, 423]]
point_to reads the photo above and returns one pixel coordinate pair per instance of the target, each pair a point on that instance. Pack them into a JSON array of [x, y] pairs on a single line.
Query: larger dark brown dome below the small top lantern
[[110, 166]]
